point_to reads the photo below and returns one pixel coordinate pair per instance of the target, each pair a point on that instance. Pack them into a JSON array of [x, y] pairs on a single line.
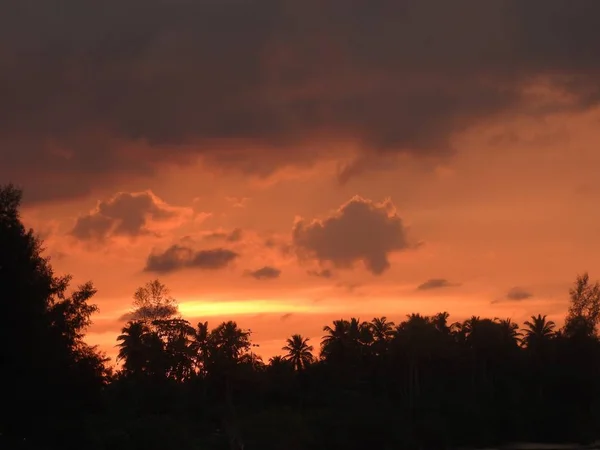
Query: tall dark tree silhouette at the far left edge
[[43, 353]]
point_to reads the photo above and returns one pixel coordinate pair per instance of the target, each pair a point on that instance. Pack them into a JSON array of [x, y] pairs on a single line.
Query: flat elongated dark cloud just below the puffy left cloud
[[178, 257]]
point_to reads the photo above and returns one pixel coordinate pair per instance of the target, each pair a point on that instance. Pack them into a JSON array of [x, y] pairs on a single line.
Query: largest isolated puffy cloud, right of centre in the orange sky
[[360, 230]]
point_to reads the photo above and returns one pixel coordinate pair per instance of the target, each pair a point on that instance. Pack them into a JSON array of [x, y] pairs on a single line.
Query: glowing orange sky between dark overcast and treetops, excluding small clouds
[[522, 217]]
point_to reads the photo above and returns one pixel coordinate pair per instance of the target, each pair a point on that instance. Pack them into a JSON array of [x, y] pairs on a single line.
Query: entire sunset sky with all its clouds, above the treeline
[[285, 163]]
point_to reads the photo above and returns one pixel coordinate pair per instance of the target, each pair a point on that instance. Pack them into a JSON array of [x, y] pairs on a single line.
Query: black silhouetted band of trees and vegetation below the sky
[[423, 383]]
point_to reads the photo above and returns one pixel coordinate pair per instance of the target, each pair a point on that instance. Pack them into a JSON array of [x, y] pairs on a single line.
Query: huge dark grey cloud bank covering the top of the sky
[[92, 91]]
